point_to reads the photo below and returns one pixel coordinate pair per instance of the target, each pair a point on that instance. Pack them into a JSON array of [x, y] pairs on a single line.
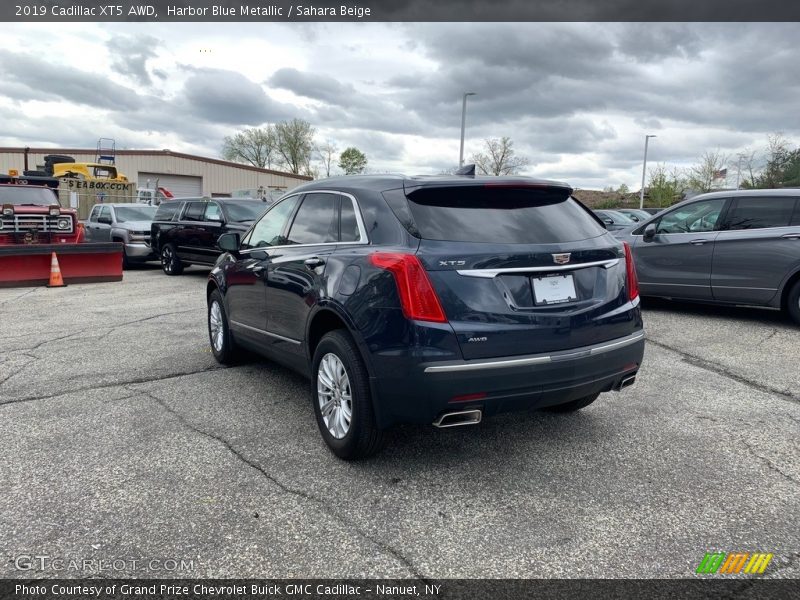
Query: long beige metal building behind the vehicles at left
[[182, 174]]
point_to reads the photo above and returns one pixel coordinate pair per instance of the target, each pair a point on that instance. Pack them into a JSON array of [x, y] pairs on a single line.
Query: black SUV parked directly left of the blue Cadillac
[[185, 230]]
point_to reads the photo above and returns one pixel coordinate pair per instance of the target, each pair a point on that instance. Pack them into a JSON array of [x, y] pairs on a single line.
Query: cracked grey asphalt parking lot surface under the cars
[[123, 440]]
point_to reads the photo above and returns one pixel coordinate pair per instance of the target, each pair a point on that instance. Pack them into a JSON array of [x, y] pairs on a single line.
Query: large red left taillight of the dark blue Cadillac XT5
[[417, 296]]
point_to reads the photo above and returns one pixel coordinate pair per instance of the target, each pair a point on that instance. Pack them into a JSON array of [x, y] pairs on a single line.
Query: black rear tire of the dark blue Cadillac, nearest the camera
[[363, 437]]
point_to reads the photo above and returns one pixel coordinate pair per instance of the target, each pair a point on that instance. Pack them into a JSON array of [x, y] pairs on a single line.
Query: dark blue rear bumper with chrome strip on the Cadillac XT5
[[427, 390]]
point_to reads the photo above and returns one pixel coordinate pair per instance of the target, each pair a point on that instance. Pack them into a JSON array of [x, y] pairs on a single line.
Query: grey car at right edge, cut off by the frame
[[732, 247]]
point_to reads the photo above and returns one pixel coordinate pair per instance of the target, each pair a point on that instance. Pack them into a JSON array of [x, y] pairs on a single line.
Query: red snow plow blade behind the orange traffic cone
[[29, 265]]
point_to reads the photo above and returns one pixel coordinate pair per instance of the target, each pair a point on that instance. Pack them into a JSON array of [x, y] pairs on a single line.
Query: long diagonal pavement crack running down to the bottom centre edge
[[396, 554]]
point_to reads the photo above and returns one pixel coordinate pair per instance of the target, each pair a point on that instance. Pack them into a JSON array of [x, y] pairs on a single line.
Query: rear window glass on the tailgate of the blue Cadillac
[[510, 216]]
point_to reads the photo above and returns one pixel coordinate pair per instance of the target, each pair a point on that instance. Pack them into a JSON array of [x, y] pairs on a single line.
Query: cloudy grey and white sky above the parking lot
[[577, 99]]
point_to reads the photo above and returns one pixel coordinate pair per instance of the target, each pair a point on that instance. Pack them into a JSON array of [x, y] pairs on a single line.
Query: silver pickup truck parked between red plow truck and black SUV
[[126, 223]]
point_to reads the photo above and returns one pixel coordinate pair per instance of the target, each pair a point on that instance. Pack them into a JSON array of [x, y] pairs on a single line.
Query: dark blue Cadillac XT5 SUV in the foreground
[[430, 300]]
